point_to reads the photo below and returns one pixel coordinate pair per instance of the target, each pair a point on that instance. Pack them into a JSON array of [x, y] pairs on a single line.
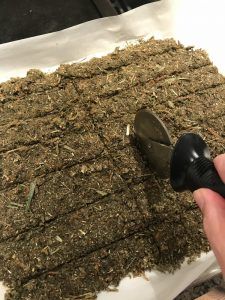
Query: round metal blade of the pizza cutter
[[154, 141]]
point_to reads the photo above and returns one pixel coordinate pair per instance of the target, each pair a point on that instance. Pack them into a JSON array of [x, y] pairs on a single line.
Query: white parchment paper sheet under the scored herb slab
[[199, 23]]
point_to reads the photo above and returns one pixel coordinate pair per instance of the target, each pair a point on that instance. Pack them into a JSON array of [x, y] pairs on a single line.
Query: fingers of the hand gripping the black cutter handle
[[212, 206]]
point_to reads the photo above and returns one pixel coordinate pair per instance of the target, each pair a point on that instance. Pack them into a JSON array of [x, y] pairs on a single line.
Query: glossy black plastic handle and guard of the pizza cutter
[[191, 167]]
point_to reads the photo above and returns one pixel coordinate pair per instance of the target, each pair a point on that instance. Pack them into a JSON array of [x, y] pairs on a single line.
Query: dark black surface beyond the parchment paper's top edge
[[25, 18]]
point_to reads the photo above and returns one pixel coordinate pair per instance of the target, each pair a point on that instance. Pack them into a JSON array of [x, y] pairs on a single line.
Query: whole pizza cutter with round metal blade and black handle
[[187, 164]]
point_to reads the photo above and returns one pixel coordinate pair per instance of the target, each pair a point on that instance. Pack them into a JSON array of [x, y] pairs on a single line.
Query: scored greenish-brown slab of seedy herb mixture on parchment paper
[[79, 208]]
